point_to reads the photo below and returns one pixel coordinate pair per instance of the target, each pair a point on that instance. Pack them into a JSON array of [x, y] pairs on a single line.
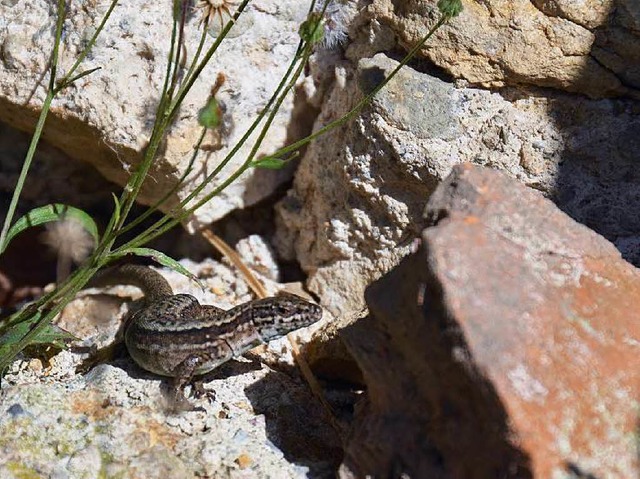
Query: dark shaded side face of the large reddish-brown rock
[[426, 414]]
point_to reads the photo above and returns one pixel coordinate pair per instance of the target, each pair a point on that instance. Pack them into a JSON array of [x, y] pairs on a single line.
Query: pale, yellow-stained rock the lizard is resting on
[[115, 420]]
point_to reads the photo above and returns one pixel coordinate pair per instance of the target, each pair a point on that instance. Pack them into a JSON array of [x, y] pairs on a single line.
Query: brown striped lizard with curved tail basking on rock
[[173, 335]]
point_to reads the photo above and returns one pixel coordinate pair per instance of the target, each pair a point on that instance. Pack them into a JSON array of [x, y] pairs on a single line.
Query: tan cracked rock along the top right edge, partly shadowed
[[588, 47]]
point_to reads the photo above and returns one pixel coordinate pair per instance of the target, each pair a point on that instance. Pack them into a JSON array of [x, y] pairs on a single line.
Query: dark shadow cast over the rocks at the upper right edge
[[598, 180]]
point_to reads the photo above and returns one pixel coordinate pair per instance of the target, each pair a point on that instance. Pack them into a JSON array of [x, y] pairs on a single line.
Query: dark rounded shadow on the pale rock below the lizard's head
[[295, 423]]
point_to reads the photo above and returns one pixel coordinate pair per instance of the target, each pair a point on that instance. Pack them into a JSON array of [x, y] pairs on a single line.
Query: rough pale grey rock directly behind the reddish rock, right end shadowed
[[360, 190]]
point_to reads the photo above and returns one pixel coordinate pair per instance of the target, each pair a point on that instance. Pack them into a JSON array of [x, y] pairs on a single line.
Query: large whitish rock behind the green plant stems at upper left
[[105, 118]]
